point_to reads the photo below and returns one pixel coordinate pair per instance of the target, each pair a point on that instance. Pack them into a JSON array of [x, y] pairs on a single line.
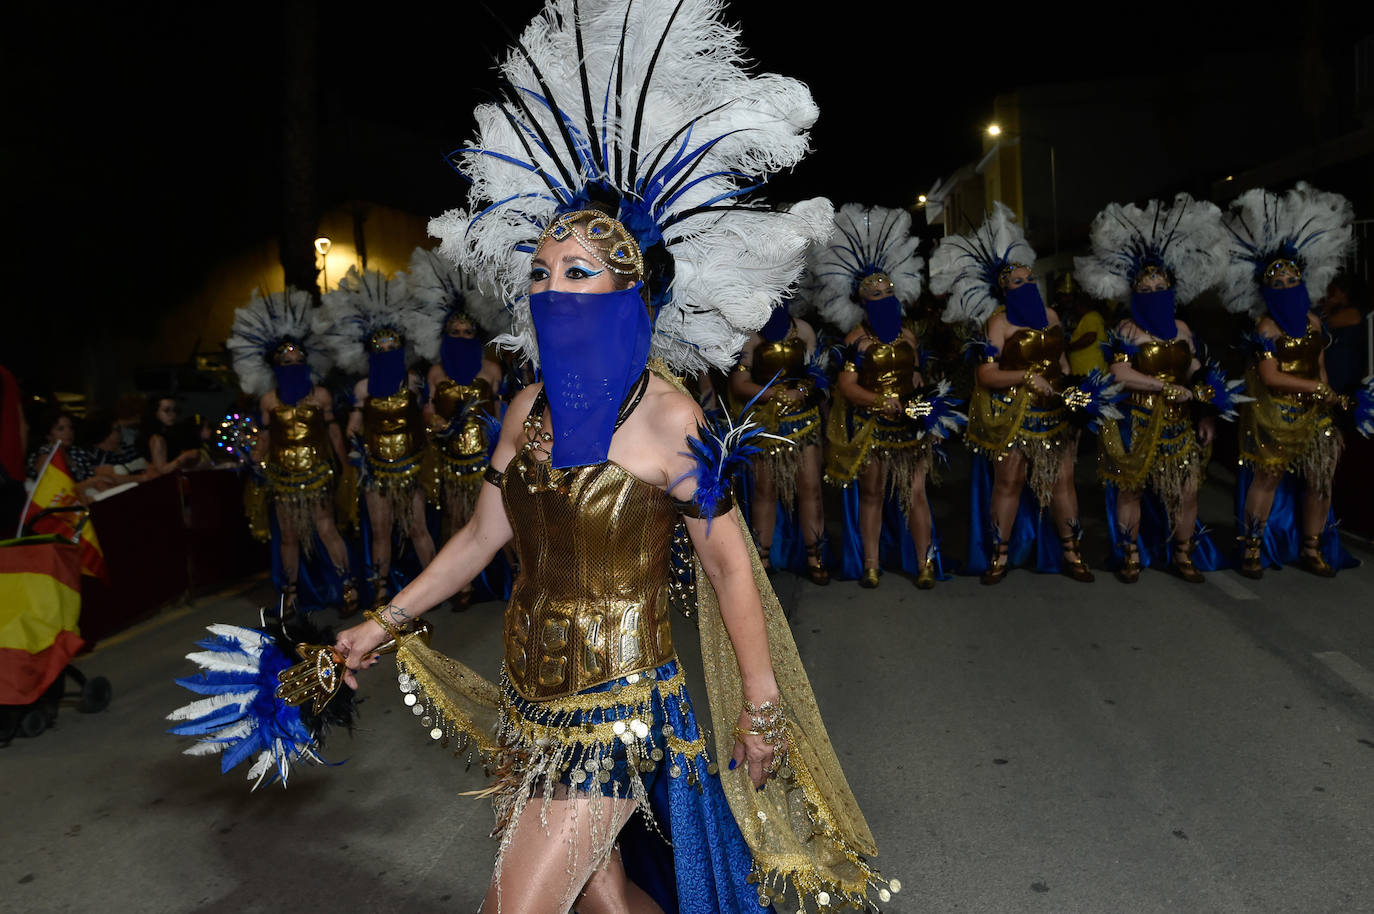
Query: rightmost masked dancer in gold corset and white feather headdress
[[1283, 245]]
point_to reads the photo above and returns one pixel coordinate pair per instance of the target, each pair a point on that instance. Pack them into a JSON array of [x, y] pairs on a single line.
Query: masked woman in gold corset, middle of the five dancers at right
[[1019, 427]]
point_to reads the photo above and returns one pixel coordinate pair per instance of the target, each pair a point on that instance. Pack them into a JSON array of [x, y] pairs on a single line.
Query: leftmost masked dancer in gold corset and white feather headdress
[[299, 447]]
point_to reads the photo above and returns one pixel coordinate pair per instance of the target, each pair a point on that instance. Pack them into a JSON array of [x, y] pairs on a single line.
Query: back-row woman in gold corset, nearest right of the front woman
[[788, 471]]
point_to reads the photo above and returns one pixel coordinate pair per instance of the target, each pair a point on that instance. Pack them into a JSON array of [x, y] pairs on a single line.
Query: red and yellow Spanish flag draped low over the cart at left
[[41, 603]]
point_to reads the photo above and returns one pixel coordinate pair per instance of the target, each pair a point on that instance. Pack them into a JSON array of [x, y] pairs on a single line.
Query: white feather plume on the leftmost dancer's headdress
[[266, 324]]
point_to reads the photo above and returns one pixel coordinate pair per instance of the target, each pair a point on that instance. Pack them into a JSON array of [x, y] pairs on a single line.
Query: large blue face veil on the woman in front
[[593, 348]]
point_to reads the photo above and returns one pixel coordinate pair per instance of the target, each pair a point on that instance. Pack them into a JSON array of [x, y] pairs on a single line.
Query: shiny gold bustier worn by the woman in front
[[592, 600]]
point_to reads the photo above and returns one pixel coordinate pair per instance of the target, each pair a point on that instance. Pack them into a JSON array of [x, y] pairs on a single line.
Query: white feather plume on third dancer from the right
[[969, 267]]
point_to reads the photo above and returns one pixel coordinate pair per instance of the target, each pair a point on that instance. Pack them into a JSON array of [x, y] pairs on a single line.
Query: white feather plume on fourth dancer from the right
[[866, 241]]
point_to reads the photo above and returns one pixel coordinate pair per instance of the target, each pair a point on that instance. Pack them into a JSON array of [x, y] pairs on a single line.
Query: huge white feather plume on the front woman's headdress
[[659, 118]]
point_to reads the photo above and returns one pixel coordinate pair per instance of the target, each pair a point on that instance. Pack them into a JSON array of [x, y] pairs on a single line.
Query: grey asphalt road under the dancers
[[1037, 747]]
